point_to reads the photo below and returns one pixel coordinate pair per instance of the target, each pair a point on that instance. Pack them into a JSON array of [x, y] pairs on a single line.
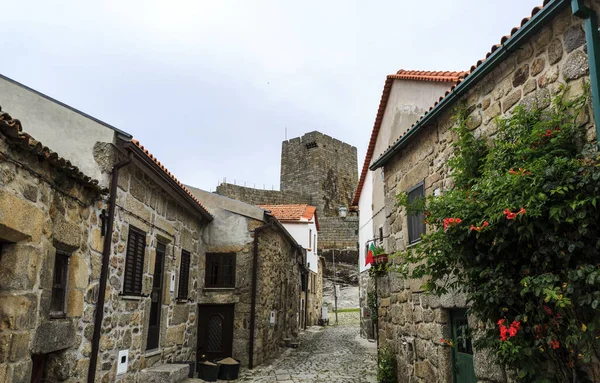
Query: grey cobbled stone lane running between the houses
[[332, 354]]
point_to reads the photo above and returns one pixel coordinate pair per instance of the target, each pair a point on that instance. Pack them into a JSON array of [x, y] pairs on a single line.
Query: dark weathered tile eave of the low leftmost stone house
[[13, 131]]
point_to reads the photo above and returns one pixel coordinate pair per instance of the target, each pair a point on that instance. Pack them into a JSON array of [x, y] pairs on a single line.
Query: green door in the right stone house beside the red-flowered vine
[[462, 353]]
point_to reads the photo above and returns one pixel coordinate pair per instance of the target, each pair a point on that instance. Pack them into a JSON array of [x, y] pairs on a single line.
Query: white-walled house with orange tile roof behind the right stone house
[[406, 96]]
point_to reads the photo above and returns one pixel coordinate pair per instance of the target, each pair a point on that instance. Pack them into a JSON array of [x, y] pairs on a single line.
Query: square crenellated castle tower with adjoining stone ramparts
[[320, 171]]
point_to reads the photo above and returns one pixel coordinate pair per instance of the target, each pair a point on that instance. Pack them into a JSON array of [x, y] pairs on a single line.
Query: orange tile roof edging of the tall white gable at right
[[418, 75]]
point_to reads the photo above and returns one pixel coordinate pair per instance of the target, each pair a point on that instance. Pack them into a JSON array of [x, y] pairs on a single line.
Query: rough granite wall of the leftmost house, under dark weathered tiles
[[42, 211]]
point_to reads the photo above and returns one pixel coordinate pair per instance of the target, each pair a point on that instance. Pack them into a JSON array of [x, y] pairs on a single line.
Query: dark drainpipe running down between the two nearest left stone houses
[[104, 273]]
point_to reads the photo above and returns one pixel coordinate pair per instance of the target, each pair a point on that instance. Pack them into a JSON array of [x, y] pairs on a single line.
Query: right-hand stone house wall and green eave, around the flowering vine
[[527, 67]]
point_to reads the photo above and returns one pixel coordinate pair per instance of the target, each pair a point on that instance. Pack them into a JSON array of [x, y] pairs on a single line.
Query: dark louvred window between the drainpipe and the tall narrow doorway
[[134, 262]]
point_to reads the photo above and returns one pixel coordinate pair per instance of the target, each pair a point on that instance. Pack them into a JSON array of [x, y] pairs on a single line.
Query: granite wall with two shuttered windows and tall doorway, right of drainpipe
[[143, 204]]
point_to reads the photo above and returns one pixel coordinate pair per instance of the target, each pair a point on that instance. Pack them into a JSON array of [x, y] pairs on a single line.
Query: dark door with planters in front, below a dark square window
[[215, 331]]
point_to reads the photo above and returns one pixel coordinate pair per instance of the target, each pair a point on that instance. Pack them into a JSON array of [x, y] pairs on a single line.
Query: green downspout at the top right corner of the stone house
[[590, 23]]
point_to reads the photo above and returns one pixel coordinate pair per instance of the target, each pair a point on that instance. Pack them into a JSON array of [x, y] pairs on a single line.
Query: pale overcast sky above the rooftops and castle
[[209, 87]]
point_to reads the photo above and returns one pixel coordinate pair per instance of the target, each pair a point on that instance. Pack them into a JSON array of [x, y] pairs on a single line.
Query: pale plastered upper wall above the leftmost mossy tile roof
[[69, 133]]
